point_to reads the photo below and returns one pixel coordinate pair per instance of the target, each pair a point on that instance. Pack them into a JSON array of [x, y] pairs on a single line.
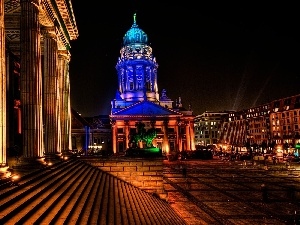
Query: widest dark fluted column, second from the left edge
[[31, 81]]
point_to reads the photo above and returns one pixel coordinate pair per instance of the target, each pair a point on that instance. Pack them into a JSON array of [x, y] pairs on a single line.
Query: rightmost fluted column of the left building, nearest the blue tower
[[65, 106]]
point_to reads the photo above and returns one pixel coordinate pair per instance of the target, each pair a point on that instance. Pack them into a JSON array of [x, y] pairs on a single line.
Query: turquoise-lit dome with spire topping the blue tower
[[135, 34]]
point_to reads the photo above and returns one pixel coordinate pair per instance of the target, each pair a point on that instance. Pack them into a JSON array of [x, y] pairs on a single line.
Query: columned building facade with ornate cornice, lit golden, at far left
[[35, 41]]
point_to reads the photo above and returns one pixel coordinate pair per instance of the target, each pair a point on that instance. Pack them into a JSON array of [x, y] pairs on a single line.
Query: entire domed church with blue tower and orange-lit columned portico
[[138, 100]]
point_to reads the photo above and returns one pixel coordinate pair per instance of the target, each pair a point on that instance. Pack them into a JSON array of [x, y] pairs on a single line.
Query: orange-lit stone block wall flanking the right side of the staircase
[[144, 173]]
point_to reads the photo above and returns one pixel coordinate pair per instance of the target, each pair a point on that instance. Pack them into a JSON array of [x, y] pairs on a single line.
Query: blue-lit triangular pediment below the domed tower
[[146, 108]]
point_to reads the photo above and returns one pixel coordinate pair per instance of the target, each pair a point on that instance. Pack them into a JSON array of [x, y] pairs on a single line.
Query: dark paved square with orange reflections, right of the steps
[[226, 192]]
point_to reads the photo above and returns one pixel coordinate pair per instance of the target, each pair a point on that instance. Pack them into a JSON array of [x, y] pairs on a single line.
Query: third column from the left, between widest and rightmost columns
[[50, 94]]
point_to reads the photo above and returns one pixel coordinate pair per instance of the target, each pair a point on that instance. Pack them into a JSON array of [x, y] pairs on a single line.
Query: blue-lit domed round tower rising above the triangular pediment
[[137, 71]]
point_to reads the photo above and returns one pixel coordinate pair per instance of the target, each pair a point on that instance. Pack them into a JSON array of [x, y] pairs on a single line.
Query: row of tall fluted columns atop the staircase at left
[[44, 88]]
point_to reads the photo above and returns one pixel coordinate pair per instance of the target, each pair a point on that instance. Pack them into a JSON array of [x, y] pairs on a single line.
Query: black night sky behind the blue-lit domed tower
[[214, 56]]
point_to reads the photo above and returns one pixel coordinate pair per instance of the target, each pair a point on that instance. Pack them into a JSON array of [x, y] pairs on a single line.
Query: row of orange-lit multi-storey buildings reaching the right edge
[[266, 128]]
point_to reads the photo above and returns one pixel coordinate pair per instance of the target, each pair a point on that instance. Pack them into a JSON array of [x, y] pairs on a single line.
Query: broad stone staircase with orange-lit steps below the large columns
[[74, 192]]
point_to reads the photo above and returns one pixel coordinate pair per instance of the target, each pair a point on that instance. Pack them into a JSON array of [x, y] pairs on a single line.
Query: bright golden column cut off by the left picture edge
[[3, 159]]
